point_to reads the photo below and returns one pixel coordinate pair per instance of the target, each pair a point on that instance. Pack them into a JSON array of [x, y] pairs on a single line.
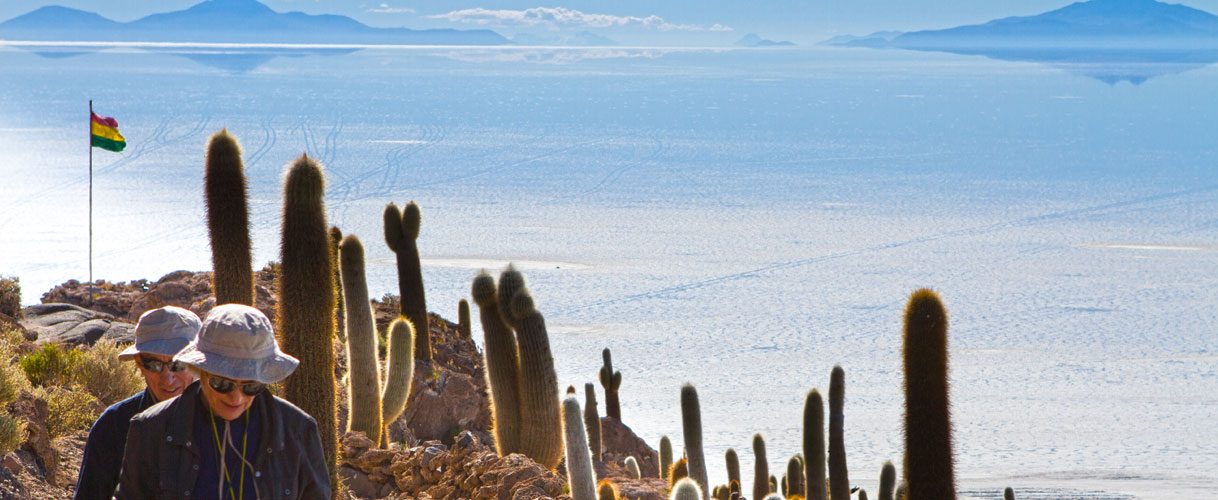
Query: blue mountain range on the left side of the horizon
[[228, 21]]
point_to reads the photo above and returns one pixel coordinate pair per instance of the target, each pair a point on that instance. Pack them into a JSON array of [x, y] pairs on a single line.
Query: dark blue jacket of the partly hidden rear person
[[104, 451]]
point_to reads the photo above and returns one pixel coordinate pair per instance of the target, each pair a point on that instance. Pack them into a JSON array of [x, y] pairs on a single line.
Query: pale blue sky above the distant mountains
[[629, 21]]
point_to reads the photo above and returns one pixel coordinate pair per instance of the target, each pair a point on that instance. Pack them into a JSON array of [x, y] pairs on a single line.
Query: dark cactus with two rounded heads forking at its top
[[401, 232]]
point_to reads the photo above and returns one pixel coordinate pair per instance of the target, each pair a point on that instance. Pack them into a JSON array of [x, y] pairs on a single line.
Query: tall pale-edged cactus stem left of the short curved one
[[364, 385]]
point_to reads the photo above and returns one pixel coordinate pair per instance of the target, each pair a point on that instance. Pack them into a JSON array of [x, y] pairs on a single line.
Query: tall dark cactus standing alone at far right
[[929, 465]]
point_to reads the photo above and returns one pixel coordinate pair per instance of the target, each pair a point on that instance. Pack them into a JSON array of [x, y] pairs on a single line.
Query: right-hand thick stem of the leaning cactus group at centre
[[540, 424]]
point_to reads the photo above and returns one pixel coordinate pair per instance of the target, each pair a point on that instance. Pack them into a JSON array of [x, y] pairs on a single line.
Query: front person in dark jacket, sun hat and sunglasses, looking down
[[227, 437]]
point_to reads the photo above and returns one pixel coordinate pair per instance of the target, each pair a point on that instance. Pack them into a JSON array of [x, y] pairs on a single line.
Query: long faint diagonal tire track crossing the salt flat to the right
[[958, 233]]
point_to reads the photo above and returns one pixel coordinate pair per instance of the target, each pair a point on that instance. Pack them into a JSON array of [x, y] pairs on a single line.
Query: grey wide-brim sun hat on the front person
[[237, 342]]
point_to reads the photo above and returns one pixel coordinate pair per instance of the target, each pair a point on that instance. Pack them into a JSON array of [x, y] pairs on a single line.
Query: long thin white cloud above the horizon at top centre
[[555, 18]]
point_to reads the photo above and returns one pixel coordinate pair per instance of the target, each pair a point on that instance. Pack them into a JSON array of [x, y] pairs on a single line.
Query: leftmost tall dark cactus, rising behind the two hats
[[228, 221]]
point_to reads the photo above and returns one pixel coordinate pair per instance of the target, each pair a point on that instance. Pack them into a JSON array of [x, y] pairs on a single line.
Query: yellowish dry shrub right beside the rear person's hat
[[102, 374]]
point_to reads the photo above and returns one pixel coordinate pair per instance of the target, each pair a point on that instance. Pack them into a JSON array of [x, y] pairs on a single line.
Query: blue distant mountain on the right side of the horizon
[[1087, 25]]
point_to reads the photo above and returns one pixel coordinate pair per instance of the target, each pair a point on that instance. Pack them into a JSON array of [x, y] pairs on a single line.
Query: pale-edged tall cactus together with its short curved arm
[[375, 403]]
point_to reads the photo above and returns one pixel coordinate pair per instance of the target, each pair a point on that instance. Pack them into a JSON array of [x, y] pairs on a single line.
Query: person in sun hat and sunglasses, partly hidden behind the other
[[160, 334]]
